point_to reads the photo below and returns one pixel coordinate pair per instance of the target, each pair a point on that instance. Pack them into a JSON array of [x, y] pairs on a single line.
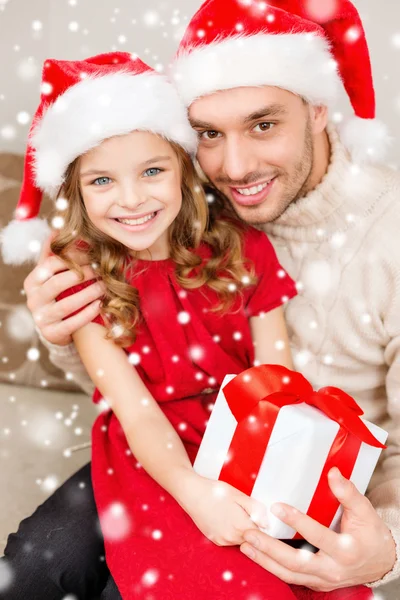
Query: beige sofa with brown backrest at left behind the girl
[[42, 413]]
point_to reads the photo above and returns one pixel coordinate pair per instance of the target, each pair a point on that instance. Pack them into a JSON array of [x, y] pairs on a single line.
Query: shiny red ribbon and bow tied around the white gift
[[255, 398]]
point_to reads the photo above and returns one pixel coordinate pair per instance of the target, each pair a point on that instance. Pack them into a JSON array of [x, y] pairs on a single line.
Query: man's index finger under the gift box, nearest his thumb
[[316, 534]]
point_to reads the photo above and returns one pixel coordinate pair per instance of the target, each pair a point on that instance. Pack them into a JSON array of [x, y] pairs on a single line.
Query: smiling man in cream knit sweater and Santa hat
[[259, 81]]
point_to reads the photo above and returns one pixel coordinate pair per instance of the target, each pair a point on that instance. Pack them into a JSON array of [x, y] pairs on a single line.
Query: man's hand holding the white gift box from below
[[363, 552]]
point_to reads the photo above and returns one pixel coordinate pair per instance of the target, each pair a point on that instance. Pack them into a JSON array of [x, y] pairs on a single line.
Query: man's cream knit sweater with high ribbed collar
[[341, 243]]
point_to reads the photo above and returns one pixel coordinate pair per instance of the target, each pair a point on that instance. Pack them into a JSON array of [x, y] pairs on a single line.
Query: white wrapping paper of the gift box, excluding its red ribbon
[[293, 461]]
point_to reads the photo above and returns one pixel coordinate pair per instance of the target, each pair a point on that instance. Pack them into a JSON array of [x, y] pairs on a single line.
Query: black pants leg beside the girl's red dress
[[59, 550]]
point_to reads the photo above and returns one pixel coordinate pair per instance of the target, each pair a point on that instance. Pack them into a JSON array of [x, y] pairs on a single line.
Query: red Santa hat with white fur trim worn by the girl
[[82, 104]]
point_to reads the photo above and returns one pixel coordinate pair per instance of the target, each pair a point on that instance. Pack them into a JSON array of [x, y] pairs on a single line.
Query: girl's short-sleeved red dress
[[182, 352]]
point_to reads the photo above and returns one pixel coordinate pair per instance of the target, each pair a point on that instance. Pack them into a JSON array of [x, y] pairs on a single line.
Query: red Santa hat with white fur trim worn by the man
[[307, 47]]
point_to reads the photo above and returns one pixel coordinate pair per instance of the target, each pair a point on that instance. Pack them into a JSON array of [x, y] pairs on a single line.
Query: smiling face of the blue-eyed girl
[[131, 187]]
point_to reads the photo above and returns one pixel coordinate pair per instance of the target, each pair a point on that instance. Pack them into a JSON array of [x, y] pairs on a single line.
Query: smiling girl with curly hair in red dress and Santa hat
[[191, 296]]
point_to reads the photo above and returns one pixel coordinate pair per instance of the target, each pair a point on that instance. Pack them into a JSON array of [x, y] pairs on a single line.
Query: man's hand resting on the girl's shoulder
[[48, 279]]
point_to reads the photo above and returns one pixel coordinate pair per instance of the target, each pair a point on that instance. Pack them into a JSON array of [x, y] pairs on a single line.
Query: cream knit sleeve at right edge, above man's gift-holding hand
[[385, 493]]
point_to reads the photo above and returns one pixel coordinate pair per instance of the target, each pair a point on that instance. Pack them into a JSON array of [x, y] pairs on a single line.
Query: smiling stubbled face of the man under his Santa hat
[[256, 147]]
